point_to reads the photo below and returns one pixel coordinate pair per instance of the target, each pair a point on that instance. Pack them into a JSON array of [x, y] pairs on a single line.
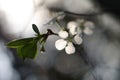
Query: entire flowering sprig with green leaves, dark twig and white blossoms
[[70, 36]]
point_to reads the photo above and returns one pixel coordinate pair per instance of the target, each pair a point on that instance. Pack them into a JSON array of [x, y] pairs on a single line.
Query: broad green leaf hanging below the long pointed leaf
[[27, 51]]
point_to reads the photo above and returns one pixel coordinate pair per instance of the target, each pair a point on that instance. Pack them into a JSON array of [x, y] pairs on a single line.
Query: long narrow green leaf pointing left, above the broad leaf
[[20, 42]]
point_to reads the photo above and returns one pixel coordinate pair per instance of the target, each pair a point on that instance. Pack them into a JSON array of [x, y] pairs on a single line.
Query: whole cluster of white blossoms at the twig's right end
[[72, 35]]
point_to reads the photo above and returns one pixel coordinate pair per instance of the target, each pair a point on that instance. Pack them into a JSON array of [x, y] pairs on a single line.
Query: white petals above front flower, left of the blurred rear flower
[[73, 28]]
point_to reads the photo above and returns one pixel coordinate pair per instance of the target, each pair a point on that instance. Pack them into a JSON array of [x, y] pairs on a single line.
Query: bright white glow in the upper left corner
[[17, 13]]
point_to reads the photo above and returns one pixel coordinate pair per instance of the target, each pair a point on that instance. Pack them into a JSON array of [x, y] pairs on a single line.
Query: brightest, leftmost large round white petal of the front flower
[[60, 44]]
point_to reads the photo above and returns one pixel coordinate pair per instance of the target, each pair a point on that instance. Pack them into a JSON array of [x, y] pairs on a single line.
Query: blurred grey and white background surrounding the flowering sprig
[[98, 58]]
